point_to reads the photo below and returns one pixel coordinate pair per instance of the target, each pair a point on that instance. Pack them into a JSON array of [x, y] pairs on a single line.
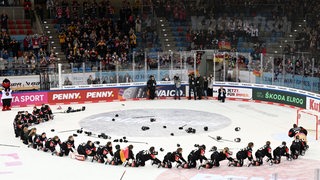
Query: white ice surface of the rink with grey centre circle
[[258, 122]]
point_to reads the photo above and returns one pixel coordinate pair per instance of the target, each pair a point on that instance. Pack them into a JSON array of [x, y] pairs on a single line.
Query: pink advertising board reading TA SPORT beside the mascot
[[28, 98]]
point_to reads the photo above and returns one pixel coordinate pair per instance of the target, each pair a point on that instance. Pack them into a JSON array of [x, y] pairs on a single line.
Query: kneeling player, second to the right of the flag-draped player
[[171, 157]]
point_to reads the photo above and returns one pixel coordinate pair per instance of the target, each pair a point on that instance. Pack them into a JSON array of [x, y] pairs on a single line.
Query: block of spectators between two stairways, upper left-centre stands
[[100, 37]]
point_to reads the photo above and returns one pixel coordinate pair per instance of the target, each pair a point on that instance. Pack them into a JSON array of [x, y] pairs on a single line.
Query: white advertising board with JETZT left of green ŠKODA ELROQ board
[[234, 92]]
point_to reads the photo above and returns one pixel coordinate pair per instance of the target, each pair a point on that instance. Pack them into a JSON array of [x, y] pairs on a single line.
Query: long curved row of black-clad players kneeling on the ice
[[107, 155]]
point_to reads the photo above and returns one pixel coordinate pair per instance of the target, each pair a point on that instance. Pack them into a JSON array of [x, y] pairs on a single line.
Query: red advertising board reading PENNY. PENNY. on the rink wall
[[81, 95]]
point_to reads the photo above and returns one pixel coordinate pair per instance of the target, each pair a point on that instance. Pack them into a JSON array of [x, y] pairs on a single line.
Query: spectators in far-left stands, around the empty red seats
[[27, 56]]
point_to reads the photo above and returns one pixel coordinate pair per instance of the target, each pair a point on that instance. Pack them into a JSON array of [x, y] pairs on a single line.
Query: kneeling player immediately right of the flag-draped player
[[146, 155]]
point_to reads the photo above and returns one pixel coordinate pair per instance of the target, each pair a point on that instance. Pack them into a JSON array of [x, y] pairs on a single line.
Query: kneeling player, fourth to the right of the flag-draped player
[[217, 156]]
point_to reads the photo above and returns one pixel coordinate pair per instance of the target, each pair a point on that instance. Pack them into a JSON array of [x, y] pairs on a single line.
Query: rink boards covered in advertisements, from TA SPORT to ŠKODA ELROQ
[[96, 93]]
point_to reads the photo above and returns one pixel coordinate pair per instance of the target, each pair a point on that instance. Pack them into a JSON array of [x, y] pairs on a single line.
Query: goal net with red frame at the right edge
[[309, 120]]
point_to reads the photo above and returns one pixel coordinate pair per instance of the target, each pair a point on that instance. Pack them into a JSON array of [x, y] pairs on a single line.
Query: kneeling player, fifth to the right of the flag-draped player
[[244, 154]]
